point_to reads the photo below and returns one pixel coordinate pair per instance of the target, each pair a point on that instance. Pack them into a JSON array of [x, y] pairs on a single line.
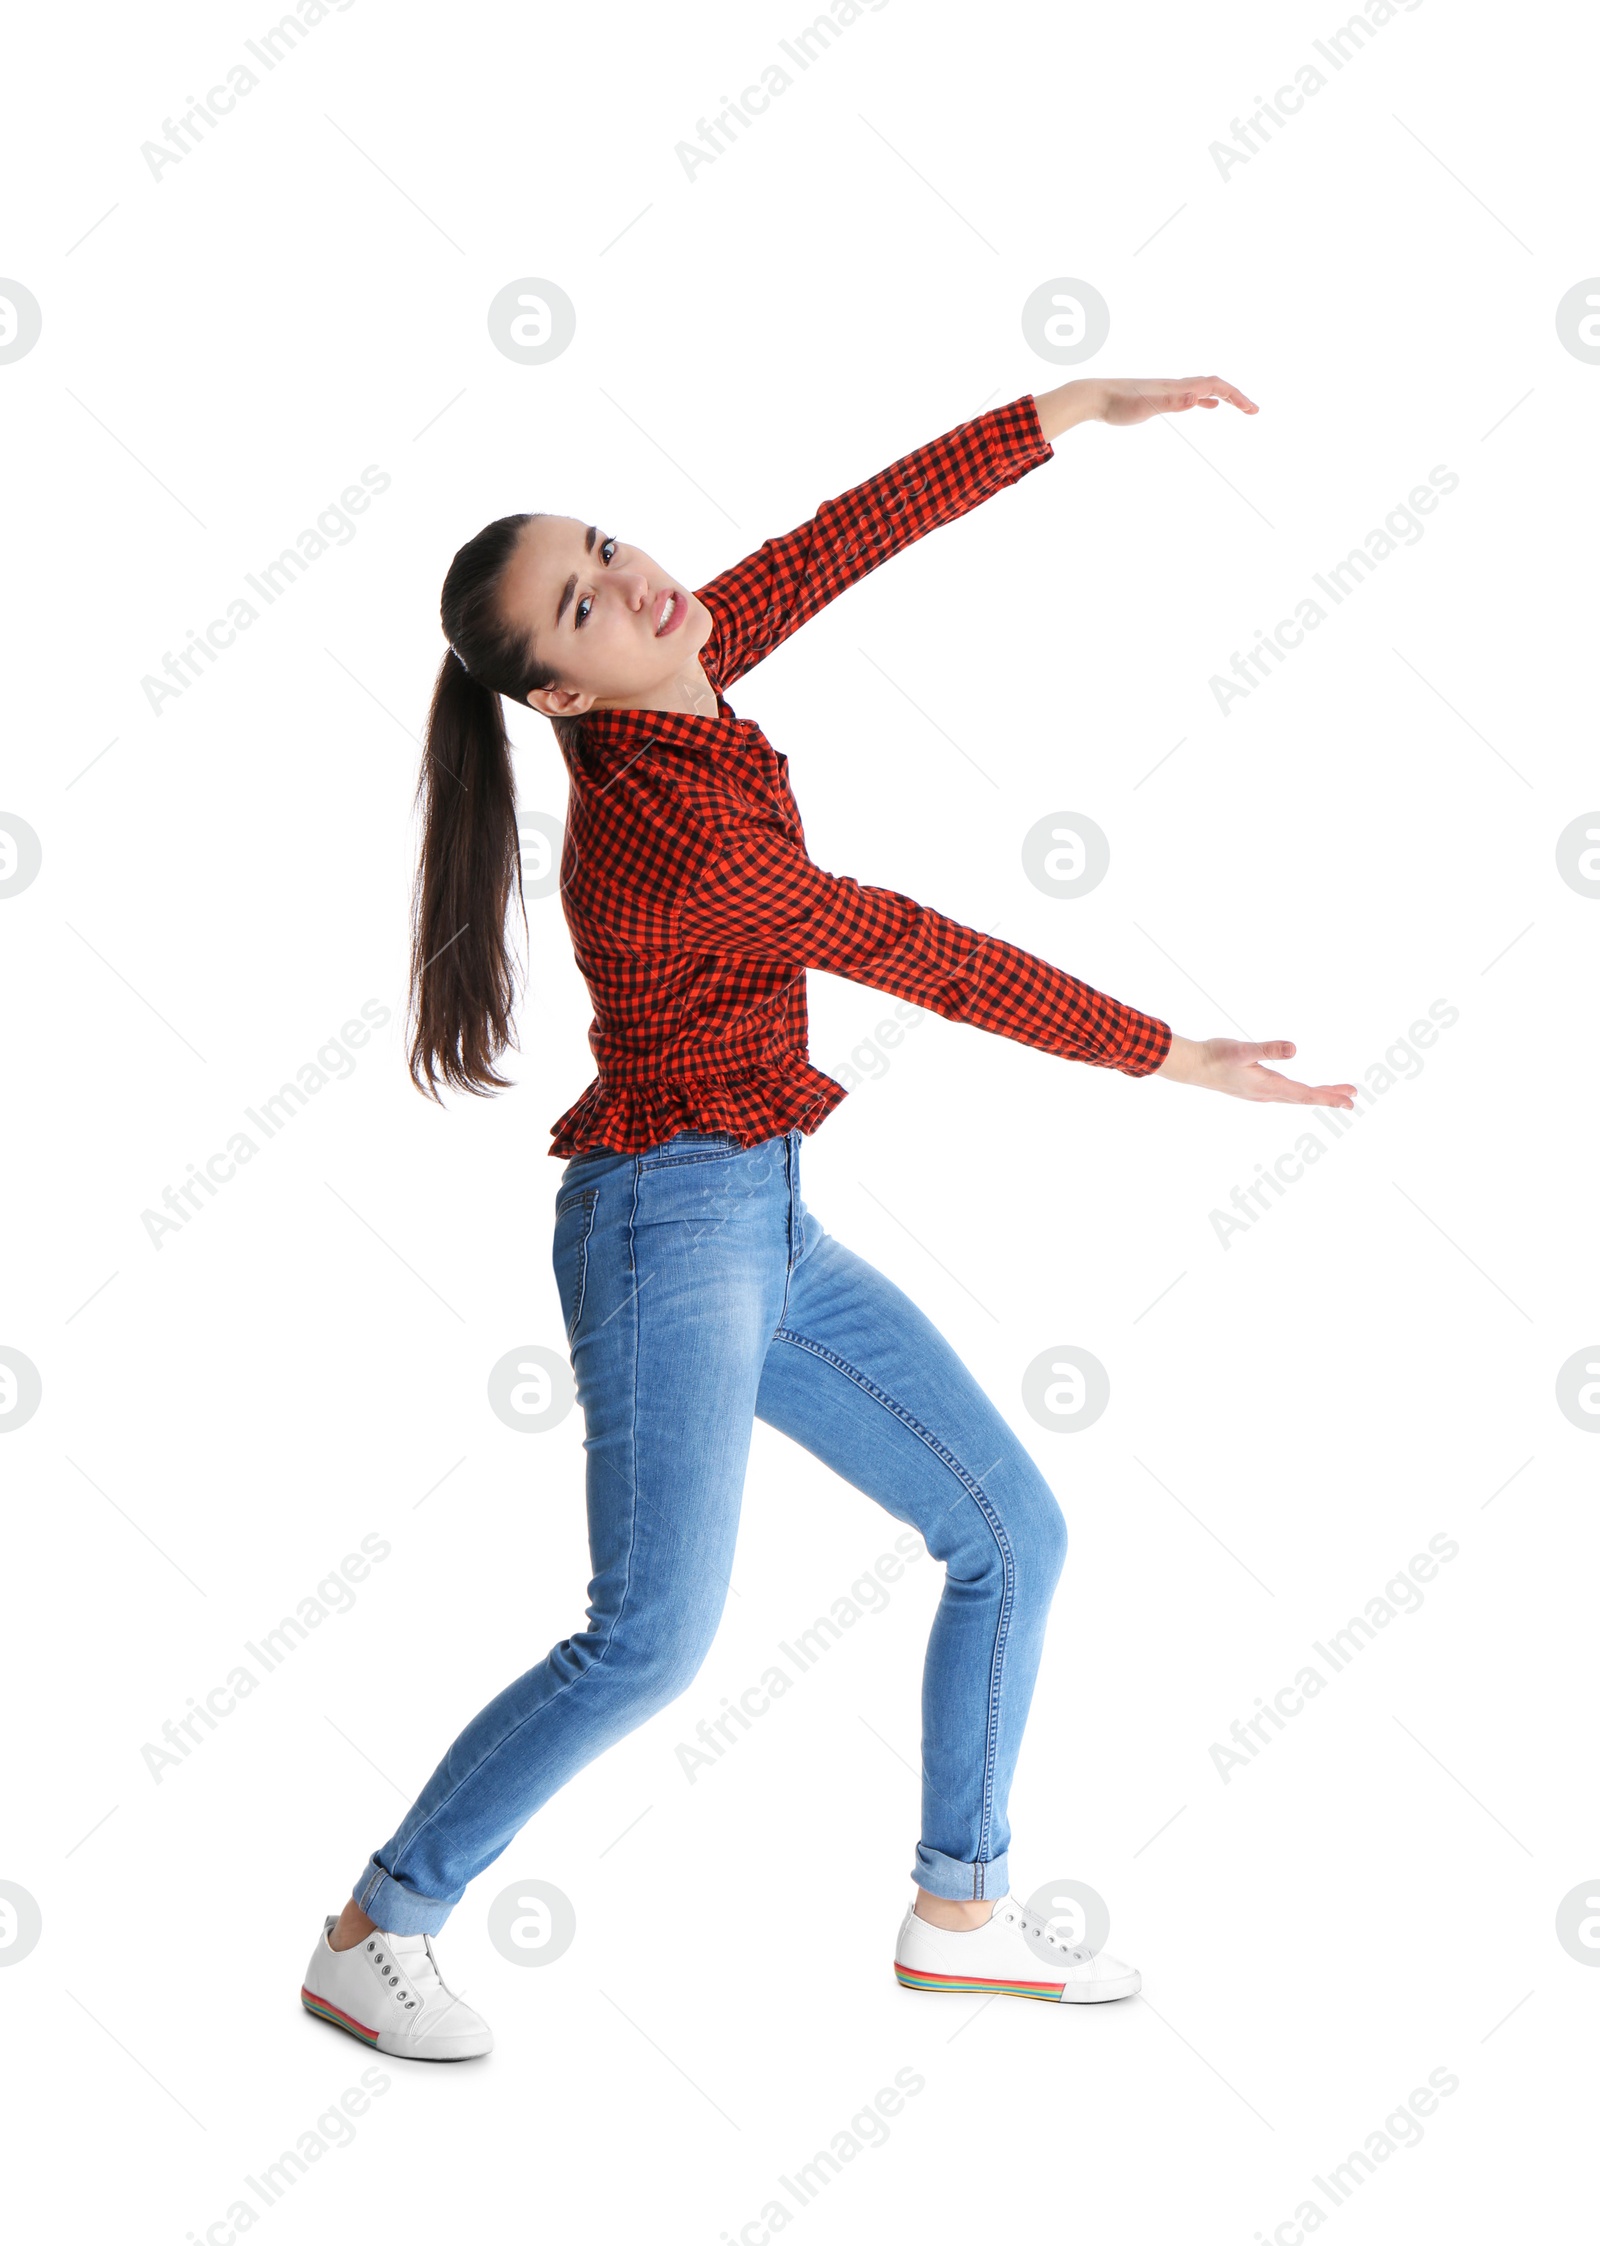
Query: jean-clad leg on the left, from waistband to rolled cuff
[[671, 1268]]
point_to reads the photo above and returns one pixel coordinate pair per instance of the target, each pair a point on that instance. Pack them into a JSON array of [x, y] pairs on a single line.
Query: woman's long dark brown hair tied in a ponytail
[[462, 967]]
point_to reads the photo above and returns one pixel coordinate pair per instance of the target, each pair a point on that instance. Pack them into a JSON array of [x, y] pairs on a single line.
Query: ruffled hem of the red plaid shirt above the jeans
[[749, 1104]]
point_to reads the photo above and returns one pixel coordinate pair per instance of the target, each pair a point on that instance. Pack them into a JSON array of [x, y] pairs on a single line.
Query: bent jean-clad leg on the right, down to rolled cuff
[[864, 1380]]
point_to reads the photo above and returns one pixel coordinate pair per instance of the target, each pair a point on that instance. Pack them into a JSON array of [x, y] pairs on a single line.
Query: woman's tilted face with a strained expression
[[603, 617]]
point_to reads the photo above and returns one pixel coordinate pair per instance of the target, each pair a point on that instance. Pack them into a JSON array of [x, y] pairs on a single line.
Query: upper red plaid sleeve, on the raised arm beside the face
[[767, 596]]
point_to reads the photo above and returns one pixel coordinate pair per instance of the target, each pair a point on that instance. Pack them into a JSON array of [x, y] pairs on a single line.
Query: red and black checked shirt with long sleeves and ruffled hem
[[689, 893]]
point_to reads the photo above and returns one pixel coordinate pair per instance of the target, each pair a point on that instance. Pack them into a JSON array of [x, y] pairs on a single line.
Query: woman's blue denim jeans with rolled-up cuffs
[[702, 1295]]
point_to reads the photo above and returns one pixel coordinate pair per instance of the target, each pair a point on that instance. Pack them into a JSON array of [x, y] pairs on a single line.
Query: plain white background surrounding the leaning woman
[[1374, 1364]]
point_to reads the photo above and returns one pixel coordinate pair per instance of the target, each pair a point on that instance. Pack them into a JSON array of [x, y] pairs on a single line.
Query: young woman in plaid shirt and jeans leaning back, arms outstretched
[[698, 1288]]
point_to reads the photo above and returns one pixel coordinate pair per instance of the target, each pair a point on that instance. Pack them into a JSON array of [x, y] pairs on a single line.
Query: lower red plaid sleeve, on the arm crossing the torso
[[765, 900]]
